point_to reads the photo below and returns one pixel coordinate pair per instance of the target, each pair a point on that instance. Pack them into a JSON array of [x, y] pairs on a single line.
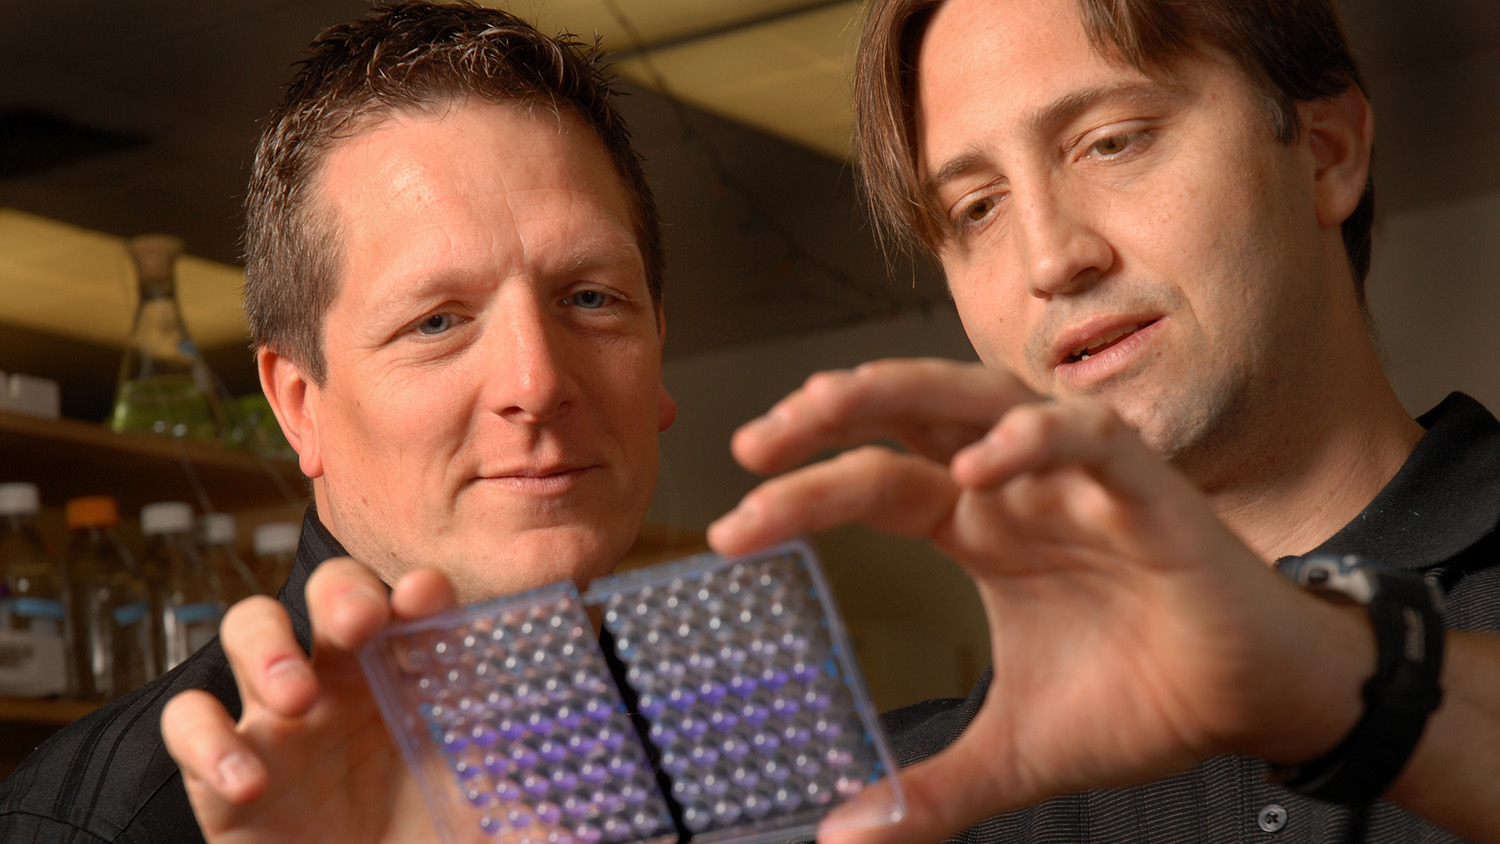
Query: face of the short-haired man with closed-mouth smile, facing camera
[[494, 388]]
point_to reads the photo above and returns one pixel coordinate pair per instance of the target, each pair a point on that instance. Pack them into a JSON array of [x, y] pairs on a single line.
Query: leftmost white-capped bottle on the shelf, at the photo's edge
[[34, 600]]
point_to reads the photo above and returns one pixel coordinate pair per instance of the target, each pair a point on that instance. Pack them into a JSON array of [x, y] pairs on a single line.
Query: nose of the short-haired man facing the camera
[[527, 377]]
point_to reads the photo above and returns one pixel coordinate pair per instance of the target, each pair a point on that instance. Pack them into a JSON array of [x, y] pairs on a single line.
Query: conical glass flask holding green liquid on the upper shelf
[[164, 385]]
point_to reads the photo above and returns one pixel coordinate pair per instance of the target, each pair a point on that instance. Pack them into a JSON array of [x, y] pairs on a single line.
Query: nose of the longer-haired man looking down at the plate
[[1060, 242]]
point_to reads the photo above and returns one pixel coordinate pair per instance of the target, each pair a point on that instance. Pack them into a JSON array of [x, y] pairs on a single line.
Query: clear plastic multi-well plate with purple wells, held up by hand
[[719, 704]]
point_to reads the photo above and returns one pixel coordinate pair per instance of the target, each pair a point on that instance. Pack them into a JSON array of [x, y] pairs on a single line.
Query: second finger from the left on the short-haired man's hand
[[269, 665]]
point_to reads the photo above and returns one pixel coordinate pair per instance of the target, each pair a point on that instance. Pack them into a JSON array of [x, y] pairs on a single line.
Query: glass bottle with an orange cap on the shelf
[[113, 645]]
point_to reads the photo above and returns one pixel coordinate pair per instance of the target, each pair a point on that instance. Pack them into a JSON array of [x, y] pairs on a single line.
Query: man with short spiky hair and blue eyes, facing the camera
[[454, 286]]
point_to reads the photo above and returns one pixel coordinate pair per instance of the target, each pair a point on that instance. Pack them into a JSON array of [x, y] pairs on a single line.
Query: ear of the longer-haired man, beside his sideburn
[[1340, 131]]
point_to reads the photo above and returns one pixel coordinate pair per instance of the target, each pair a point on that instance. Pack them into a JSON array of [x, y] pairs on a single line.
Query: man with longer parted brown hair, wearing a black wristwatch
[[1154, 218]]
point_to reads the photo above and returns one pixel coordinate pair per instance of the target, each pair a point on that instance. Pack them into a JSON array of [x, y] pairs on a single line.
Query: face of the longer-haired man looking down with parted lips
[[1141, 241]]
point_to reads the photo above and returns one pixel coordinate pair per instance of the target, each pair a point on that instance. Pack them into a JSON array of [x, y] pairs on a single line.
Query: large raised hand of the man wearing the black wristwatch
[[1130, 629]]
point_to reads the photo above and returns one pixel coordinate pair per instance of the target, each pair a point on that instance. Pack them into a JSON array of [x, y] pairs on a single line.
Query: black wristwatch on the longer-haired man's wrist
[[1408, 617]]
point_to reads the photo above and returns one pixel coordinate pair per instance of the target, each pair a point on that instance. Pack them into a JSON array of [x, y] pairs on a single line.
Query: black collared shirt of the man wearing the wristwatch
[[1439, 516]]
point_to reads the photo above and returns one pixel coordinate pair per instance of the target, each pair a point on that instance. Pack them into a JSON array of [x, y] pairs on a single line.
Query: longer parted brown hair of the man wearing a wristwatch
[[1291, 50]]
